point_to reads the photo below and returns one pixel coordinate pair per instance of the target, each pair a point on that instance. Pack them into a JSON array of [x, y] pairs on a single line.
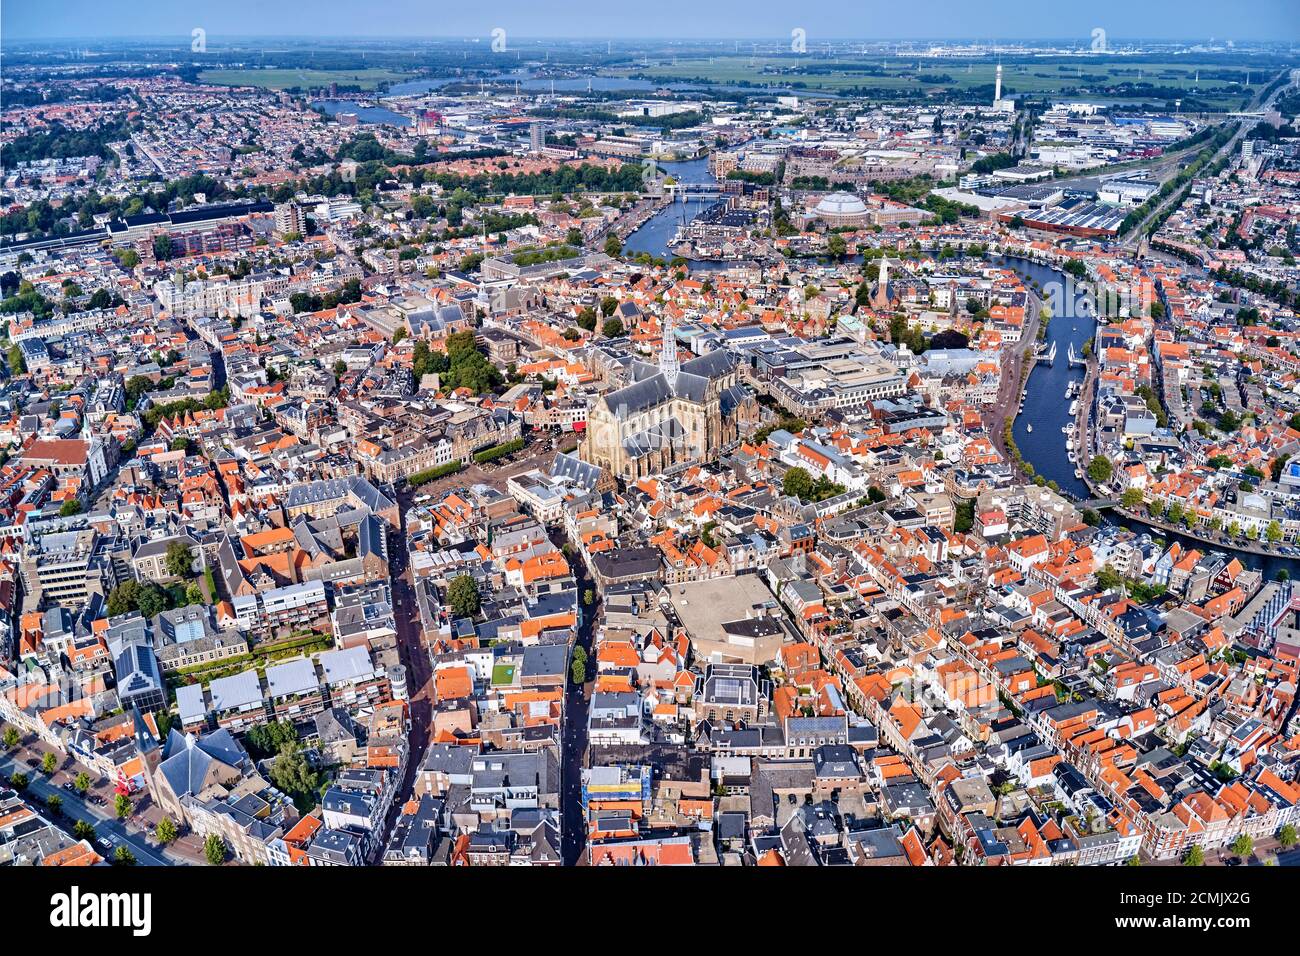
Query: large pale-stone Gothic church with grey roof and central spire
[[671, 414]]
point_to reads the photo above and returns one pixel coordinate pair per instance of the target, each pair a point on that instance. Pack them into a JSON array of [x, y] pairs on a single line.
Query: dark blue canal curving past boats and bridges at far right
[[1046, 412]]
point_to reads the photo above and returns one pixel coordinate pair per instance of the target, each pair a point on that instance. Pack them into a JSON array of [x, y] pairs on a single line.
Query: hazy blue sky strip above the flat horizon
[[660, 19]]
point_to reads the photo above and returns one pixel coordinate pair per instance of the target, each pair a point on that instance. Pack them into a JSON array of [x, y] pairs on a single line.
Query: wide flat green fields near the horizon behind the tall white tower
[[1220, 85]]
